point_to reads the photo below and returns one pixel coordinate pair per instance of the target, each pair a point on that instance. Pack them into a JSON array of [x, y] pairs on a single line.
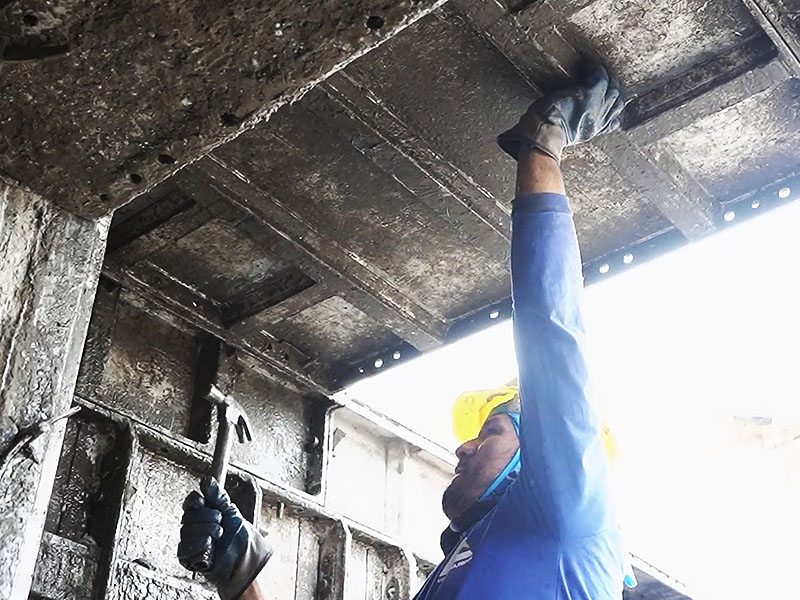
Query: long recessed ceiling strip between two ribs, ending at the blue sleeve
[[331, 187]]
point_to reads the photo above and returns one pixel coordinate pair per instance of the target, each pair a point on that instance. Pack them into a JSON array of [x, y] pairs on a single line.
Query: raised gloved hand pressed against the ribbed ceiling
[[567, 117]]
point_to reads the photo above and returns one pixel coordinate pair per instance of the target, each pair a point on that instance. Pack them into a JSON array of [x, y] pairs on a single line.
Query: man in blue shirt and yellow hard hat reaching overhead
[[528, 505]]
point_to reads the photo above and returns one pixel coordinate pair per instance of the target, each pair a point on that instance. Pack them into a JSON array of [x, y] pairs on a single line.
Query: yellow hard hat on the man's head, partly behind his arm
[[471, 409]]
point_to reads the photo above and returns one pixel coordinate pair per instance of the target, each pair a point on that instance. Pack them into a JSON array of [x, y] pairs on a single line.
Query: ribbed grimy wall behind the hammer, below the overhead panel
[[351, 507]]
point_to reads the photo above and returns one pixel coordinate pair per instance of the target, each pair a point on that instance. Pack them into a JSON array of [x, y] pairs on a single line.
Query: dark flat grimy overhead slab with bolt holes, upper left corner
[[102, 101]]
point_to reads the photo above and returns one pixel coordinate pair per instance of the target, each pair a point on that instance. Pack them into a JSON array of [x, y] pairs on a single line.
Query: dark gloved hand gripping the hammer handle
[[214, 528]]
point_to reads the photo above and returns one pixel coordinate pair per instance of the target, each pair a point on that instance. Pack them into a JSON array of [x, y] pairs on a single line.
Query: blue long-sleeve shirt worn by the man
[[552, 535]]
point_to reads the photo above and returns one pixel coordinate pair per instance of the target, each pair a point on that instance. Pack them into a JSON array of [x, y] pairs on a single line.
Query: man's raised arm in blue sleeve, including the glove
[[563, 474]]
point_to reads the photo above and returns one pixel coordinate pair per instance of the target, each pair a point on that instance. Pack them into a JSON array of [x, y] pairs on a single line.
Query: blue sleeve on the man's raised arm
[[563, 477]]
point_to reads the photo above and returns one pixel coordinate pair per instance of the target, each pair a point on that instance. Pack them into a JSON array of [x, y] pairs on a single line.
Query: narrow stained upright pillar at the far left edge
[[49, 264]]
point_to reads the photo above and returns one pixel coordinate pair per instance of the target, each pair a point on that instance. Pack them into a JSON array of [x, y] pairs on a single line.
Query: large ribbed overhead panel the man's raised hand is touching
[[369, 221]]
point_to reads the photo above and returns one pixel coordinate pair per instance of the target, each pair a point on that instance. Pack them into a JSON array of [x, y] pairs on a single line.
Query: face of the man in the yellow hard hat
[[480, 461]]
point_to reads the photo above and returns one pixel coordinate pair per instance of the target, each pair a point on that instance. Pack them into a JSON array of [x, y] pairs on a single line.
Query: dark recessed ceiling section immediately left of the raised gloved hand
[[455, 90]]
